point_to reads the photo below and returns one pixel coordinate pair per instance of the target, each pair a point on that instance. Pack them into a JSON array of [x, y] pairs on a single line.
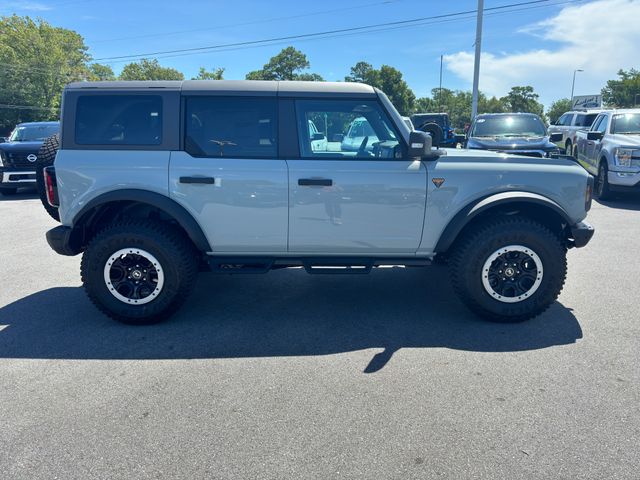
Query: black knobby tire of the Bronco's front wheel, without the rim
[[472, 251]]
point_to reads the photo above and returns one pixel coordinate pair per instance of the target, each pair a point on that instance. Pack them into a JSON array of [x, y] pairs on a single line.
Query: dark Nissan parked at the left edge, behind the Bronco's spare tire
[[18, 155]]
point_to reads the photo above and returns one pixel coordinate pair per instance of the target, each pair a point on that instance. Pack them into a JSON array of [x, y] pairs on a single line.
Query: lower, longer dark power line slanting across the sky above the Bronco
[[315, 34]]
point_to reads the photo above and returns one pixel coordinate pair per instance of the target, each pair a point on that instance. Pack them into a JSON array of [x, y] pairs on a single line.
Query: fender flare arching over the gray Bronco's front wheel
[[475, 208]]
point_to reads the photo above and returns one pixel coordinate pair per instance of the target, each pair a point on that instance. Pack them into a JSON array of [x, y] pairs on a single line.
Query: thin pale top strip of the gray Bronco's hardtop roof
[[246, 86]]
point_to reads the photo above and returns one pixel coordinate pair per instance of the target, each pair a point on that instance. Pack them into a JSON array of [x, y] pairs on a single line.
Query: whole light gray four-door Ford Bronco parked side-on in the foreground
[[155, 181]]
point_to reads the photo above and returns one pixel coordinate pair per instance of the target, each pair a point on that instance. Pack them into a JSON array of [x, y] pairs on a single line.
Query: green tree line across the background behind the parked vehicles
[[38, 59]]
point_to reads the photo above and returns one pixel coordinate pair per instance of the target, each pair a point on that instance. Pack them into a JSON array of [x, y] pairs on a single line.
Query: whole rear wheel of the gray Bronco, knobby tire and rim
[[139, 272]]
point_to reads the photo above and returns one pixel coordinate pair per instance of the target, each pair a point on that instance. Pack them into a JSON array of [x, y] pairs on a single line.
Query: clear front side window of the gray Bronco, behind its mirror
[[350, 129]]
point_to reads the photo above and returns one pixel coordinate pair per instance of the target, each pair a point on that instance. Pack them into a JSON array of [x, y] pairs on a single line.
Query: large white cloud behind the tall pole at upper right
[[600, 37]]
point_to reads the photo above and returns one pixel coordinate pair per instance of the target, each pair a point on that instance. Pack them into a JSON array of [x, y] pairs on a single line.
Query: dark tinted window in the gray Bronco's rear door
[[231, 127]]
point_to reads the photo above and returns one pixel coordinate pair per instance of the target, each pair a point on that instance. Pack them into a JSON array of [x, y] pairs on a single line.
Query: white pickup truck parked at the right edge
[[610, 150]]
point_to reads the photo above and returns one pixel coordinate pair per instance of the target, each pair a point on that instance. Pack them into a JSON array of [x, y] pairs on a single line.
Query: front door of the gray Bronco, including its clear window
[[359, 195]]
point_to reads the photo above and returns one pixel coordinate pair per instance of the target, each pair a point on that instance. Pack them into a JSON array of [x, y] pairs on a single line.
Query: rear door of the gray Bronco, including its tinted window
[[228, 174]]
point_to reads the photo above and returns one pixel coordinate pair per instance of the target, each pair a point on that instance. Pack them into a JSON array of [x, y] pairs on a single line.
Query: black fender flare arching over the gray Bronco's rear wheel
[[157, 200]]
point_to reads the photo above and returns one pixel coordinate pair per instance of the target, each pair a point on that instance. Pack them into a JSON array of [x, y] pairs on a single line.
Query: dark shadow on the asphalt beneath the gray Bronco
[[283, 313]]
